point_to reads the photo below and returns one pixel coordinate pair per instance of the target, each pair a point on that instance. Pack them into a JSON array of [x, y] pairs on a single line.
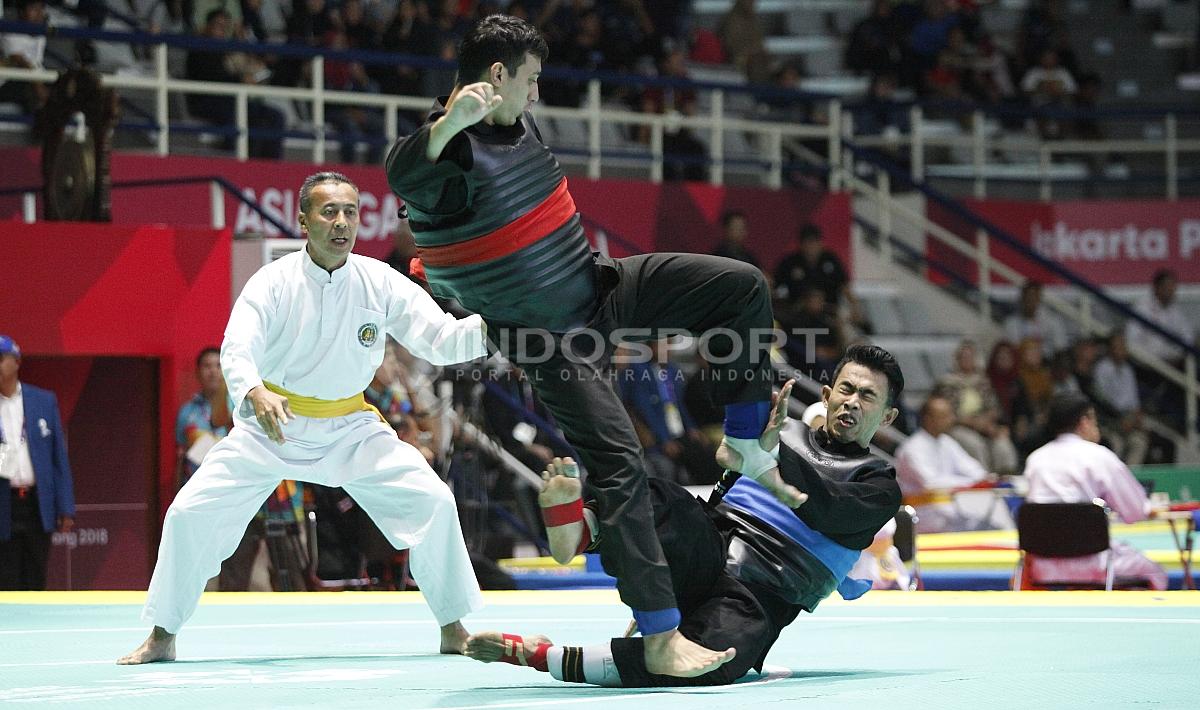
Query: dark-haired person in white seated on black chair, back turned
[[1075, 468]]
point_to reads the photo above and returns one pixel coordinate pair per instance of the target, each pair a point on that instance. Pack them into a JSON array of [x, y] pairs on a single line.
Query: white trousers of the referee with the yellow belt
[[389, 479]]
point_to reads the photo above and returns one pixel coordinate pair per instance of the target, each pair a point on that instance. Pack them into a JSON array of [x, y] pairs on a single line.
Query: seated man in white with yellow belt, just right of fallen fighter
[[931, 466]]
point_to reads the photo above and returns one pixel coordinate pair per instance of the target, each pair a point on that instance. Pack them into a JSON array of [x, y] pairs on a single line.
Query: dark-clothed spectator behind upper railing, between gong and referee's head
[[213, 65]]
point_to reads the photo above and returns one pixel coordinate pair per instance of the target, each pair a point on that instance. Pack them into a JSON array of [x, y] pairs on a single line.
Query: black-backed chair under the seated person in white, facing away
[[1064, 531]]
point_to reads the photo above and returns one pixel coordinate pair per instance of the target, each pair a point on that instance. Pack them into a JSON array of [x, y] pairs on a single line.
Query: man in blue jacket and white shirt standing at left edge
[[37, 495]]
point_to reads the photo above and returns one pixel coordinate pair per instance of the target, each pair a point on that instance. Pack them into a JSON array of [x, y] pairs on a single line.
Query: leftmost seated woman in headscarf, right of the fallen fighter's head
[[977, 412]]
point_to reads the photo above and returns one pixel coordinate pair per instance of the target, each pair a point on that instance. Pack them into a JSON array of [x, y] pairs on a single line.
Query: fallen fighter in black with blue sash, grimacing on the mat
[[743, 568]]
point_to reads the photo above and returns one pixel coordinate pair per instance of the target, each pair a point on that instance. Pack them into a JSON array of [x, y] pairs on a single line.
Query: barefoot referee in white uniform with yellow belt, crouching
[[303, 344]]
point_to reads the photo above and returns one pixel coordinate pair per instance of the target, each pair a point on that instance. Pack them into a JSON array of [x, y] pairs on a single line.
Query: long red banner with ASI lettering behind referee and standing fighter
[[652, 218]]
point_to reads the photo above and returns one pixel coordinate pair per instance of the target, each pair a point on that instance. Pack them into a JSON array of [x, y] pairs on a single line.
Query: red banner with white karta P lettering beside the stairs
[[1106, 243]]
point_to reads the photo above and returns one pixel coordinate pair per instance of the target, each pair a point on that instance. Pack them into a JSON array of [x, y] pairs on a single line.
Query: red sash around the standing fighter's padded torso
[[514, 237]]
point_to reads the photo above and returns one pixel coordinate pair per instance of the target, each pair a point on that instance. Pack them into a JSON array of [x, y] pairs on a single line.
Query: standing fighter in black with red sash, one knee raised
[[496, 228]]
